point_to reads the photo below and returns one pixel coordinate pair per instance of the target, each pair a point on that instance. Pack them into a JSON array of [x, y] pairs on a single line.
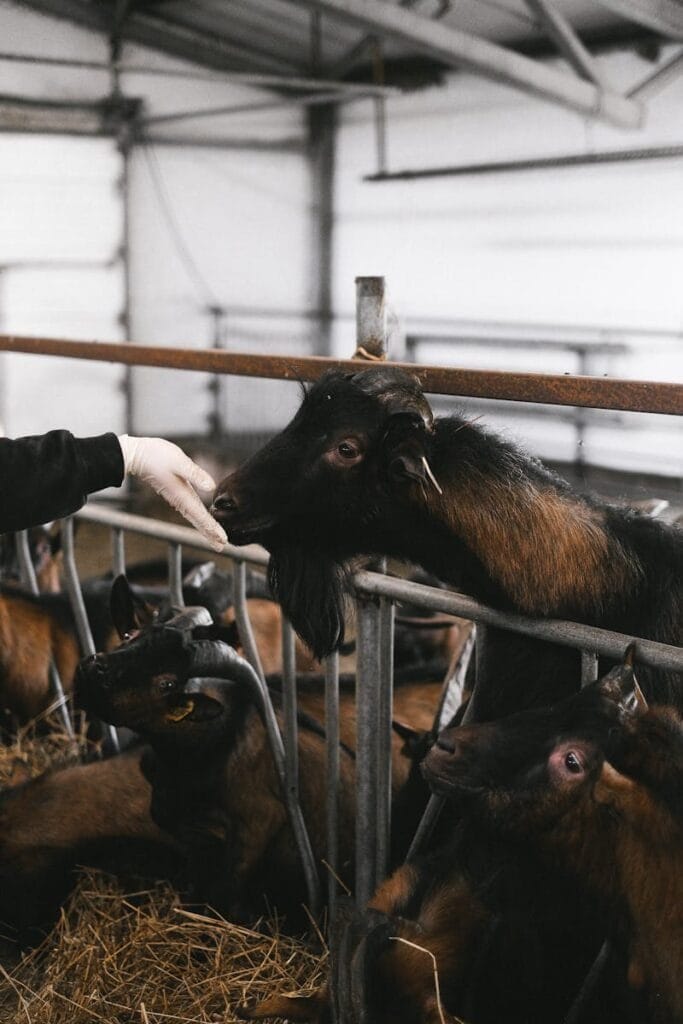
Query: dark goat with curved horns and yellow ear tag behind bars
[[216, 785]]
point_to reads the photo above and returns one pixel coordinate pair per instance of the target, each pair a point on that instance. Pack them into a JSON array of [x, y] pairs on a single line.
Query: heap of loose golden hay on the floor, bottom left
[[123, 958]]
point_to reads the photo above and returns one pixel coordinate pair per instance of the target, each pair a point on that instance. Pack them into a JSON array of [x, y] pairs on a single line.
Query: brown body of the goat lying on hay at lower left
[[90, 814]]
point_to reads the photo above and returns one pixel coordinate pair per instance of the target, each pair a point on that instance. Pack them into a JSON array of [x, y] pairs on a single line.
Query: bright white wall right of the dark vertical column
[[601, 245]]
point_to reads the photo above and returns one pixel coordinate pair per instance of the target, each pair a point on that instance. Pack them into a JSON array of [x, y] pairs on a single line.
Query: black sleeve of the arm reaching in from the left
[[51, 477]]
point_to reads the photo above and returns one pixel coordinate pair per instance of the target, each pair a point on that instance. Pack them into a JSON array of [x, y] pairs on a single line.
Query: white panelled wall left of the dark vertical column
[[208, 227]]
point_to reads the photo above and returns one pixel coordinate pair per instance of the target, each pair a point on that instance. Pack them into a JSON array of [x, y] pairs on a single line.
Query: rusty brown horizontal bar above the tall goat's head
[[554, 390]]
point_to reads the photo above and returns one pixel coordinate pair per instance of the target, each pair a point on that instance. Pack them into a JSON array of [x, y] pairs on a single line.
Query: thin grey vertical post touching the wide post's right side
[[386, 714]]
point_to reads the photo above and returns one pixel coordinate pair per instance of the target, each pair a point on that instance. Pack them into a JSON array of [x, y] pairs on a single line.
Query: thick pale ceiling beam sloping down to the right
[[488, 60]]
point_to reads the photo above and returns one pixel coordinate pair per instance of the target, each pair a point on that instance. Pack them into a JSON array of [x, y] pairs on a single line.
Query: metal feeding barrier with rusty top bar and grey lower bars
[[375, 594]]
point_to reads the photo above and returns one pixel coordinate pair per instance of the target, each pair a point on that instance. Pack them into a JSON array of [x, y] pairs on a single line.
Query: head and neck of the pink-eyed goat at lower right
[[607, 808]]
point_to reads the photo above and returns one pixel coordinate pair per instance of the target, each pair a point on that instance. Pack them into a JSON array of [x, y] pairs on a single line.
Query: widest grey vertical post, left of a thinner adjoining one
[[367, 755]]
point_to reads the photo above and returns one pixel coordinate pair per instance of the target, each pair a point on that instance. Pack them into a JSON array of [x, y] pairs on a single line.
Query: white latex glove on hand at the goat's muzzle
[[168, 471]]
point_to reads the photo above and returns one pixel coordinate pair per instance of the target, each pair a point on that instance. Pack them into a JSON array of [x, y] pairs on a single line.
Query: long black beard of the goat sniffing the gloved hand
[[312, 588]]
